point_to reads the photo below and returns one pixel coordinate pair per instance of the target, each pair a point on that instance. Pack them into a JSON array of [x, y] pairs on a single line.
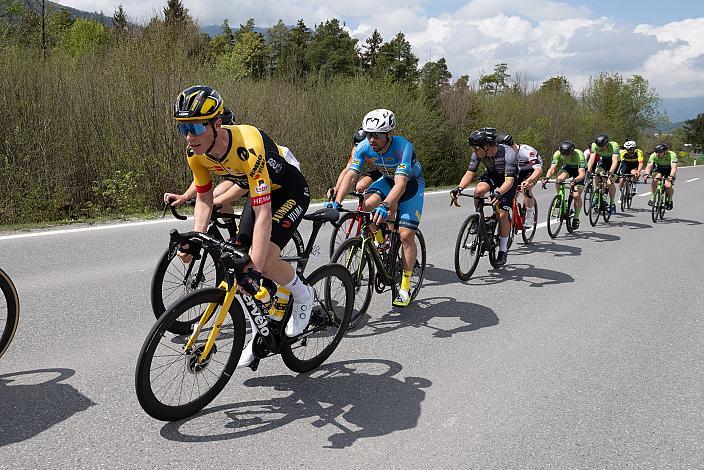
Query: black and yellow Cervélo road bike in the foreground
[[179, 374]]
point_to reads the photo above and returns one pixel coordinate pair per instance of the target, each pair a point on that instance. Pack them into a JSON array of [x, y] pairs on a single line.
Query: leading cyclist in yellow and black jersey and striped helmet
[[278, 192]]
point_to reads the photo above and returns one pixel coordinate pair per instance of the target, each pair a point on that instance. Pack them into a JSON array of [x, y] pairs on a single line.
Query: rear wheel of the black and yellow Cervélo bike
[[334, 300]]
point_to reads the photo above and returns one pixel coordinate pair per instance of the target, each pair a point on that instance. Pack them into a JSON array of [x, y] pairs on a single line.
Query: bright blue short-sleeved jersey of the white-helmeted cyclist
[[399, 159]]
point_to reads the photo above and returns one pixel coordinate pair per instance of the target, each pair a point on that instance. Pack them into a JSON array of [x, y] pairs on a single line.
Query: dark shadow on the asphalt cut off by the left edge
[[33, 401]]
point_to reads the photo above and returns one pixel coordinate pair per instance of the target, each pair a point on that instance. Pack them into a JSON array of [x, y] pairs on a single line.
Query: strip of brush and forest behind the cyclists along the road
[[87, 104]]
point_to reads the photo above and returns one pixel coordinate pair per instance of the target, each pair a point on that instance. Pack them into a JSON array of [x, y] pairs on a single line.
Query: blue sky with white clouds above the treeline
[[660, 40]]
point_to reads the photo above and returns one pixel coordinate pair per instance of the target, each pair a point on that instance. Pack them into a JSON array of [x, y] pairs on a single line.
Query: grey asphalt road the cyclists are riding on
[[583, 352]]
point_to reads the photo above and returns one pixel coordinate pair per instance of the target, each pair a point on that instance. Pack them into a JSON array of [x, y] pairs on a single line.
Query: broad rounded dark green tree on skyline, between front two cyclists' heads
[[332, 51]]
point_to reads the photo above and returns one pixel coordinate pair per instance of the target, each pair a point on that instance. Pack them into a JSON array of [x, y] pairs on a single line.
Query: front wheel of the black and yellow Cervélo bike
[[172, 382]]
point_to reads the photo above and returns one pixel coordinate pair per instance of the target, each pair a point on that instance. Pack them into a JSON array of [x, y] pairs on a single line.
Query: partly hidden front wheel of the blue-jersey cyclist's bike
[[358, 262]]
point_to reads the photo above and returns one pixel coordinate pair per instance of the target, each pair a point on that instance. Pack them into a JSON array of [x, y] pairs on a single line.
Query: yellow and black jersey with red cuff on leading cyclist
[[252, 160]]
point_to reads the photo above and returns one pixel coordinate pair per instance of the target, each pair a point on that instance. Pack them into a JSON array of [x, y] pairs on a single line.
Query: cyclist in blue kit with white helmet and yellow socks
[[402, 183]]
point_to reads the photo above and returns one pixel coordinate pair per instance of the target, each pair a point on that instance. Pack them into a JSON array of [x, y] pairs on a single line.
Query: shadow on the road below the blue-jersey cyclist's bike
[[422, 312]]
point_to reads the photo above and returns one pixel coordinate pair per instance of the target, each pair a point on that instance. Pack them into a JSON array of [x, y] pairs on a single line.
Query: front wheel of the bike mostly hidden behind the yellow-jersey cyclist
[[172, 280]]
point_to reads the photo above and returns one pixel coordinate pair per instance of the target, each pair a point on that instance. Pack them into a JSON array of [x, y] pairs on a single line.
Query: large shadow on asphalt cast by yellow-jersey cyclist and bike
[[358, 399]]
